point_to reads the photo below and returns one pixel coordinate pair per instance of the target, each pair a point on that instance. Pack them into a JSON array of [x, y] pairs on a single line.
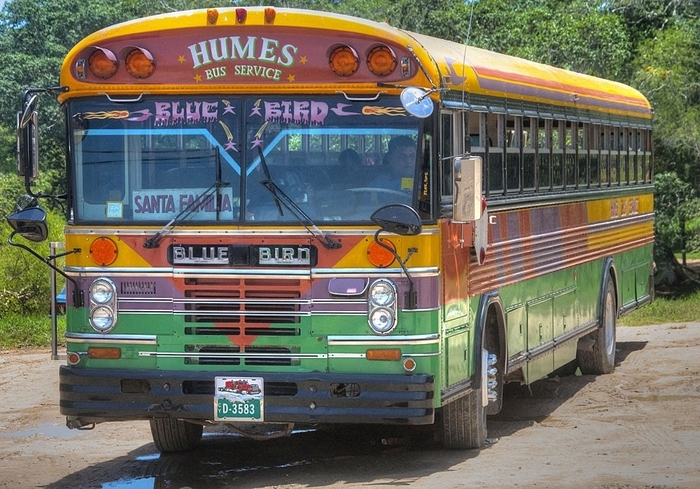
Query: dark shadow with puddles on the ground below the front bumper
[[228, 460]]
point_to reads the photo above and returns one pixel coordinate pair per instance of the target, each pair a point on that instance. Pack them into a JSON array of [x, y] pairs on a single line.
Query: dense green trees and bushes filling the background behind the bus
[[649, 44]]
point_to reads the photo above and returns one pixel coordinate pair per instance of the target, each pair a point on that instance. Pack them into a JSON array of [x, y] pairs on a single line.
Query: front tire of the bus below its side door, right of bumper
[[464, 421]]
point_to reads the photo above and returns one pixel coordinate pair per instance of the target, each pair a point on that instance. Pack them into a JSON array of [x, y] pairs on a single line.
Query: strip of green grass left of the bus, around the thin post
[[21, 331]]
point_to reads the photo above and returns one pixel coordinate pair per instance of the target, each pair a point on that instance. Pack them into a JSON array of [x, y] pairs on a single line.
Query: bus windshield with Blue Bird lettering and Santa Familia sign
[[237, 159]]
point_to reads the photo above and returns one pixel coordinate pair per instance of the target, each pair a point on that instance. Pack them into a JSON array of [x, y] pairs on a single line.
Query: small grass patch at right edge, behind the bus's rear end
[[673, 309]]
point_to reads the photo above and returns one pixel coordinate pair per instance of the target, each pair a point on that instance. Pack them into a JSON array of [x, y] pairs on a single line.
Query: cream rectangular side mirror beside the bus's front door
[[467, 201]]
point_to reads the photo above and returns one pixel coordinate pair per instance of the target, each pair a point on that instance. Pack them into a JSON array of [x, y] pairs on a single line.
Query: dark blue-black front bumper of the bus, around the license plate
[[93, 396]]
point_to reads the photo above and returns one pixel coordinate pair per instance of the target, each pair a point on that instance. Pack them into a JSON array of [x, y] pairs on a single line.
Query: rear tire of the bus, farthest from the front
[[600, 359]]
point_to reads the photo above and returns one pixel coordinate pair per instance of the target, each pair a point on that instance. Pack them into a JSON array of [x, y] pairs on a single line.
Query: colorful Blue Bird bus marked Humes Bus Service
[[280, 216]]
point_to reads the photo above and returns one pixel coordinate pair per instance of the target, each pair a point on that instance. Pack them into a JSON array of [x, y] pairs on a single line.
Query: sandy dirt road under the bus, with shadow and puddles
[[636, 428]]
